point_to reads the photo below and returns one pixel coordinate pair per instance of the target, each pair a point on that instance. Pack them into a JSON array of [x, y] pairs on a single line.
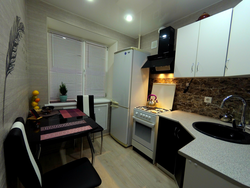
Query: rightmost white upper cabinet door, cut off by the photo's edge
[[239, 45]]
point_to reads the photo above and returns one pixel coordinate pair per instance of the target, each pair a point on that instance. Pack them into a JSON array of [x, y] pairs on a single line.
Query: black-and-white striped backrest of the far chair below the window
[[85, 103]]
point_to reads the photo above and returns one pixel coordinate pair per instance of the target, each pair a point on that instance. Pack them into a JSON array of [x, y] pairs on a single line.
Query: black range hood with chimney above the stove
[[163, 62]]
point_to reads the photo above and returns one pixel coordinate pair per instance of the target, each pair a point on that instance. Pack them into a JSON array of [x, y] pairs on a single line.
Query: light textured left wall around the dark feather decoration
[[16, 92]]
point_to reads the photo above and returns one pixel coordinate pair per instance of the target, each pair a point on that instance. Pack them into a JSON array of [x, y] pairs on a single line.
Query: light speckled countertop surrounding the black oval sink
[[228, 160]]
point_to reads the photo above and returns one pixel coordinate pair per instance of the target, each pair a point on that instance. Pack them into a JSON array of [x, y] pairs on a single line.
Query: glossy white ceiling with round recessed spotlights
[[149, 15]]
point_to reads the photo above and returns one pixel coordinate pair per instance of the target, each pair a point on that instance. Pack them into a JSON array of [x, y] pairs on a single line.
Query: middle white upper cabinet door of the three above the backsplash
[[213, 43]]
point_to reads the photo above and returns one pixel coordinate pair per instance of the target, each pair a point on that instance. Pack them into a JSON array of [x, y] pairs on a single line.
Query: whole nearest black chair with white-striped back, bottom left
[[21, 163]]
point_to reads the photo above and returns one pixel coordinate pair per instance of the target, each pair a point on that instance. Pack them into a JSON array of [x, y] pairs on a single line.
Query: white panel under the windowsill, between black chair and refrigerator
[[101, 114]]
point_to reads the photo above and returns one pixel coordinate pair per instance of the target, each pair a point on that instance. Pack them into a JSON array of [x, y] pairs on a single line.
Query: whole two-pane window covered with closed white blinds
[[80, 65]]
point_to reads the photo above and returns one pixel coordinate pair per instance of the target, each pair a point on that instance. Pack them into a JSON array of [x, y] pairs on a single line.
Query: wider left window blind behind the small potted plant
[[66, 66]]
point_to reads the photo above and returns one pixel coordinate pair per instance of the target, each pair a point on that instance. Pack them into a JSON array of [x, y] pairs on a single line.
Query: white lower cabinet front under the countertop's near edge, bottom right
[[199, 177]]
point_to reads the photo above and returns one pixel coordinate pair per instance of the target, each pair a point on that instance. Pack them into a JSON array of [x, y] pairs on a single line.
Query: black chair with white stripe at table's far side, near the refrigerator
[[85, 103]]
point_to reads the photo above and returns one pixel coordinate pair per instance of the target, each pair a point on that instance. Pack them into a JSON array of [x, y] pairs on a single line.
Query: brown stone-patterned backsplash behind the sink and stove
[[218, 88]]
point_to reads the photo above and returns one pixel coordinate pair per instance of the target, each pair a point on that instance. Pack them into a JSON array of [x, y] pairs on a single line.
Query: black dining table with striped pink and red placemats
[[59, 126]]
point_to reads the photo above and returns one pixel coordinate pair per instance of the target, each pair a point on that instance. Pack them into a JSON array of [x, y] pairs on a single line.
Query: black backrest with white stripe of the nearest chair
[[19, 159]]
